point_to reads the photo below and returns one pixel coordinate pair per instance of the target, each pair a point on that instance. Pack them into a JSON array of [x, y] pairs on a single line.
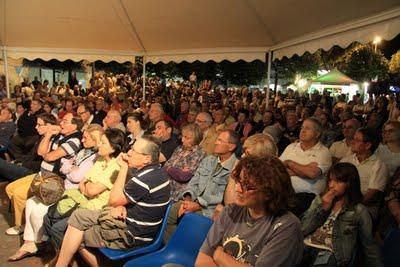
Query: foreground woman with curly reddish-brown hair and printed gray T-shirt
[[257, 230]]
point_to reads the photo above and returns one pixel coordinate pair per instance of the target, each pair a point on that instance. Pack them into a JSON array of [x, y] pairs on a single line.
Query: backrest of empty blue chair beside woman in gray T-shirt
[[190, 234]]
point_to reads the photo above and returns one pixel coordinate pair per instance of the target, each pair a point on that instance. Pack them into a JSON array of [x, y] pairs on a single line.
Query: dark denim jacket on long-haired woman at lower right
[[351, 225]]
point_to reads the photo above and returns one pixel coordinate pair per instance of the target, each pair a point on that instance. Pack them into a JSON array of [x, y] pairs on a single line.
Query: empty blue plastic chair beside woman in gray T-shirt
[[183, 246]]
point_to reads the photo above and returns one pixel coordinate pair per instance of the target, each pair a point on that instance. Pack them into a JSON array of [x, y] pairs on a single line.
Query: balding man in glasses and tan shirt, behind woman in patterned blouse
[[205, 122]]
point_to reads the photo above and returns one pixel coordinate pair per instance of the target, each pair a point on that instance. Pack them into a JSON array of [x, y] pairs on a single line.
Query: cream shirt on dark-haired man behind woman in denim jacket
[[373, 172]]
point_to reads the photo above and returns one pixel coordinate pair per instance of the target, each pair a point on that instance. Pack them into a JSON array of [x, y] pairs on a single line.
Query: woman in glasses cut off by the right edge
[[389, 150]]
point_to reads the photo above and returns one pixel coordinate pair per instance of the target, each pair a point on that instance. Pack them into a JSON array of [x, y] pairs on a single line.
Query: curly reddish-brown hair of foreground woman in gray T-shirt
[[270, 175]]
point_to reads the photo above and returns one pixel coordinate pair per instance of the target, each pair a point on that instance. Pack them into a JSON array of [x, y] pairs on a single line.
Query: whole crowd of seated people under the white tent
[[300, 180]]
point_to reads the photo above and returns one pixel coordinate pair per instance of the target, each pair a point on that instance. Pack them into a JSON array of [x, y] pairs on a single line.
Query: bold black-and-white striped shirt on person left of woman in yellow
[[71, 144]]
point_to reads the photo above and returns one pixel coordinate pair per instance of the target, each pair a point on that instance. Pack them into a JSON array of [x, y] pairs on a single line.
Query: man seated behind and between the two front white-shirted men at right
[[342, 148]]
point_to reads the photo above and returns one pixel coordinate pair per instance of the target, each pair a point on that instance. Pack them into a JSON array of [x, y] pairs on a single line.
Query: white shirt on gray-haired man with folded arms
[[319, 154]]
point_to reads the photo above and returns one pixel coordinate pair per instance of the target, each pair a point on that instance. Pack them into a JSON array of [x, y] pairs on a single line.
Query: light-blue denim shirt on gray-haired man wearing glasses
[[207, 186]]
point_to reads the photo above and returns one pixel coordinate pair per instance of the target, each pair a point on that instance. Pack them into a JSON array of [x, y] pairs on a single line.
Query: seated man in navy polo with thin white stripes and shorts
[[141, 203]]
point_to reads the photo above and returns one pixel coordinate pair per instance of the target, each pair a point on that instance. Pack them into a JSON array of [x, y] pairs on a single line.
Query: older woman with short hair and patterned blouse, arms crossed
[[185, 160]]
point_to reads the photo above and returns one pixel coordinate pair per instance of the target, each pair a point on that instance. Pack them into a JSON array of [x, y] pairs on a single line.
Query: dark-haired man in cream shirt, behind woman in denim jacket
[[373, 172]]
